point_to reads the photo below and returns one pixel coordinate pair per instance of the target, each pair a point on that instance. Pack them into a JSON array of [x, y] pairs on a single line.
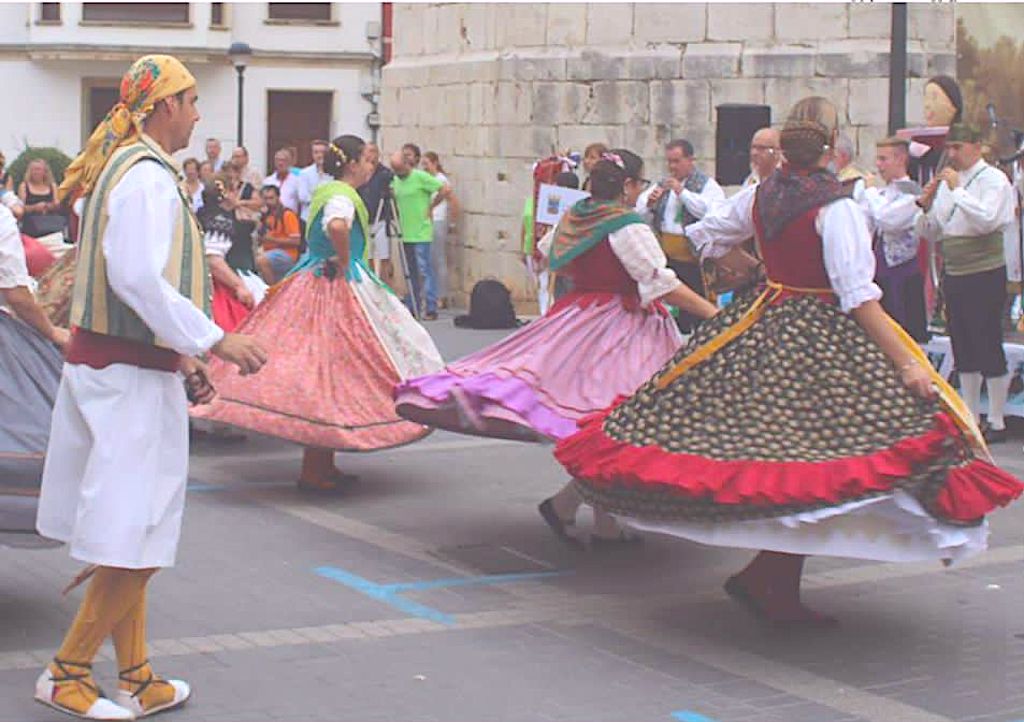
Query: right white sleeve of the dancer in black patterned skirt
[[848, 257]]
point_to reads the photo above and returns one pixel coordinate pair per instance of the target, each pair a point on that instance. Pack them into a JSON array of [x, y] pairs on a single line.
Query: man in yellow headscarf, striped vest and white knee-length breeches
[[114, 483]]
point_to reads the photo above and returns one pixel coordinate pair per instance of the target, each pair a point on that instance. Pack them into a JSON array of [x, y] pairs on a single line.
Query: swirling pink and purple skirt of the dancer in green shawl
[[536, 385]]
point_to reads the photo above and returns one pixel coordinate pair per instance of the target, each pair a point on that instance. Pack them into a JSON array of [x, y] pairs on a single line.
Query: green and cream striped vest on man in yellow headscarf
[[95, 306]]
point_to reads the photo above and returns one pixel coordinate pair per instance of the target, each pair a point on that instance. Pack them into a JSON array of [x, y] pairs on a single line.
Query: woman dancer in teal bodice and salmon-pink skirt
[[339, 341]]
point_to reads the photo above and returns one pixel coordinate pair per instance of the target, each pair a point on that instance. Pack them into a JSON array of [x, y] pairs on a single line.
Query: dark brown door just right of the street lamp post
[[295, 119]]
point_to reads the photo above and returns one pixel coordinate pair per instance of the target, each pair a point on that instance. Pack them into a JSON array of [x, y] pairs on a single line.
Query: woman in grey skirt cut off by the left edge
[[30, 352]]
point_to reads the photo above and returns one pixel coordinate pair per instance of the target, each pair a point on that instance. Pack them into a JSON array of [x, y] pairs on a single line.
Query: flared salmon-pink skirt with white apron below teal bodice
[[337, 349]]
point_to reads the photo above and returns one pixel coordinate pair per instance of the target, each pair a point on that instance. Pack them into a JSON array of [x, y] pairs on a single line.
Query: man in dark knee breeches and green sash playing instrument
[[965, 208]]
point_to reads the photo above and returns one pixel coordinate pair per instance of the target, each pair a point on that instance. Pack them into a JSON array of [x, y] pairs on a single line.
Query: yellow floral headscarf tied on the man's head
[[150, 80]]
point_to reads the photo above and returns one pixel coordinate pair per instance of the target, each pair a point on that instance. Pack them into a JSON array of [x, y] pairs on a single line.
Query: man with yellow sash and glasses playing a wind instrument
[[673, 204]]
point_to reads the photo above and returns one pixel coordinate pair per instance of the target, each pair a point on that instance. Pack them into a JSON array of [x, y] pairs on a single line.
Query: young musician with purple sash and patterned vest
[[891, 214]]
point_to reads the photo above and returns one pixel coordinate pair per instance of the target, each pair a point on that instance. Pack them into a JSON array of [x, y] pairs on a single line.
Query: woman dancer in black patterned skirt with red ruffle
[[801, 420]]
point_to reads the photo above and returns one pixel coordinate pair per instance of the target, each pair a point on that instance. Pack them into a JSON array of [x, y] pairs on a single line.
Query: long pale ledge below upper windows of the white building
[[76, 53]]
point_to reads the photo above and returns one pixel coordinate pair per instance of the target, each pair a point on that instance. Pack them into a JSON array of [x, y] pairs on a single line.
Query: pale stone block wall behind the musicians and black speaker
[[492, 88]]
